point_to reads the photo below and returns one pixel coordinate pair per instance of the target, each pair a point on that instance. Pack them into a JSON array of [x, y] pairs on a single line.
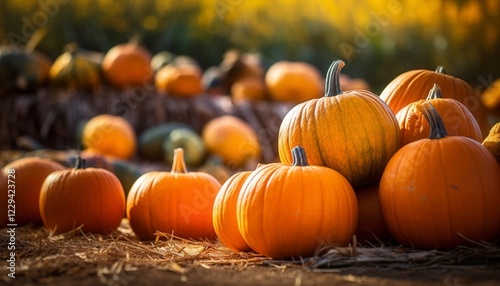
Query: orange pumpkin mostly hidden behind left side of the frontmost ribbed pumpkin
[[224, 213]]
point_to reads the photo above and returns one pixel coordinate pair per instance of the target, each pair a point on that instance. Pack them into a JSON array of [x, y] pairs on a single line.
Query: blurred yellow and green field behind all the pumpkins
[[377, 39]]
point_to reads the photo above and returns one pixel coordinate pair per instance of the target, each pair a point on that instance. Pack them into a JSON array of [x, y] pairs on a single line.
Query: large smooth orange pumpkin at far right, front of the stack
[[441, 192]]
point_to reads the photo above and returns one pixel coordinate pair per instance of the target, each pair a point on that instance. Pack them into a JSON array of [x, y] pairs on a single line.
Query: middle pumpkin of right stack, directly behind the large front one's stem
[[457, 119]]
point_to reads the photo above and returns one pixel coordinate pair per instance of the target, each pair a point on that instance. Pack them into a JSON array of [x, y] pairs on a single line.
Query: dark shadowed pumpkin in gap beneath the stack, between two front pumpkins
[[371, 225]]
